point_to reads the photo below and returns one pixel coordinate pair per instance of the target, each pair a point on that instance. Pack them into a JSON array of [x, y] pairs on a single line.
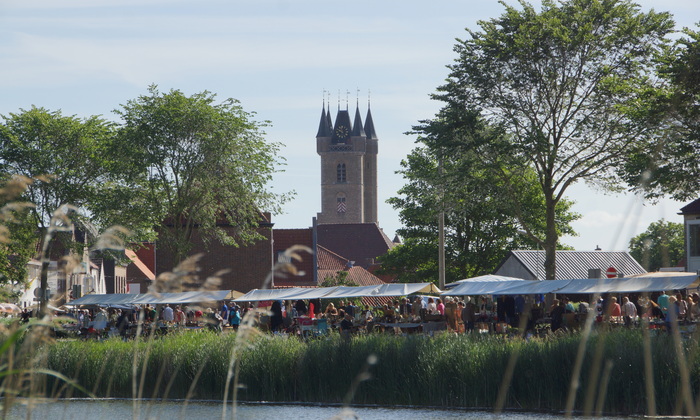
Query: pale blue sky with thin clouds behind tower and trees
[[277, 57]]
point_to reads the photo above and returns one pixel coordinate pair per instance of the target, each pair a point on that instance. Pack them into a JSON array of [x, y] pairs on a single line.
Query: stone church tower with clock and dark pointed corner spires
[[348, 168]]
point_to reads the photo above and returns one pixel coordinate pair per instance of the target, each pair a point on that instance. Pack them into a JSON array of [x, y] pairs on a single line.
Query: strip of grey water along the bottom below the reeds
[[122, 409]]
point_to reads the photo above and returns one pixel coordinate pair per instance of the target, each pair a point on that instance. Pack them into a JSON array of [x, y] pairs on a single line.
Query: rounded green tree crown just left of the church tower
[[191, 162]]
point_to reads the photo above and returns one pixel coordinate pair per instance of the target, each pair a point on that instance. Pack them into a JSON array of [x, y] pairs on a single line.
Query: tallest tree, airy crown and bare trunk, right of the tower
[[563, 85]]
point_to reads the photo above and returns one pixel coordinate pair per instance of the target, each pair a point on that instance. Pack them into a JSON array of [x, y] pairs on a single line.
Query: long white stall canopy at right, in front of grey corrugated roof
[[642, 283]]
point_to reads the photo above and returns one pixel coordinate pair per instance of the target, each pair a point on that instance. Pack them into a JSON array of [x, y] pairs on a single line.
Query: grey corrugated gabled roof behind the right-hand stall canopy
[[575, 264]]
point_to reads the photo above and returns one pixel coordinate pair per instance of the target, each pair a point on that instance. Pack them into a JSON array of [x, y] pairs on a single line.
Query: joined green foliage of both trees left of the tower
[[172, 163]]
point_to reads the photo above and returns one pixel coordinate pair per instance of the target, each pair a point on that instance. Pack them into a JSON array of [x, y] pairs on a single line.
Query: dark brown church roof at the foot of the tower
[[359, 242]]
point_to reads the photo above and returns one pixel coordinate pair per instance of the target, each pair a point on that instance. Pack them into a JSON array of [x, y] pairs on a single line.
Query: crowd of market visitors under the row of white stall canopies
[[407, 313]]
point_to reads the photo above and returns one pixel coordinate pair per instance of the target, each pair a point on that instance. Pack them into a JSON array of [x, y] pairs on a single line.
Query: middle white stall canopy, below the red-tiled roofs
[[338, 292]]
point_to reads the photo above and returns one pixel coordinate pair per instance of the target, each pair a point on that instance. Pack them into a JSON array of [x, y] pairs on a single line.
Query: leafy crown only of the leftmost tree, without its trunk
[[64, 155]]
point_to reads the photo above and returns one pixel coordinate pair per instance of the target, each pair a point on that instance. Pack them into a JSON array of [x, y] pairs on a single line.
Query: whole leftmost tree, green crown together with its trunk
[[64, 156]]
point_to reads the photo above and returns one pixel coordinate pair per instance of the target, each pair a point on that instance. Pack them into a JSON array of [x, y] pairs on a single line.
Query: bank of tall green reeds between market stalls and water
[[464, 371]]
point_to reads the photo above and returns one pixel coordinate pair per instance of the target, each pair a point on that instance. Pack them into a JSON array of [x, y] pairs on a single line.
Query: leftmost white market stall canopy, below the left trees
[[126, 299]]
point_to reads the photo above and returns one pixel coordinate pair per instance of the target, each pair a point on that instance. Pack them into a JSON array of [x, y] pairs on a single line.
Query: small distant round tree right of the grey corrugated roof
[[661, 245]]
